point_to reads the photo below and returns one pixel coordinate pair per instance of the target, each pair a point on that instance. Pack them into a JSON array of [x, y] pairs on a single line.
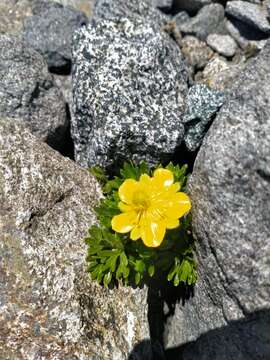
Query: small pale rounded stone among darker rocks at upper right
[[223, 44]]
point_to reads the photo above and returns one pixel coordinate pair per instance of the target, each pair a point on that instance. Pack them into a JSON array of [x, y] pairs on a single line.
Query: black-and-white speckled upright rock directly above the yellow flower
[[129, 86]]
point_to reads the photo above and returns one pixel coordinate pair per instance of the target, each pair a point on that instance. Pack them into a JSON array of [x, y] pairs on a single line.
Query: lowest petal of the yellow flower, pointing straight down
[[153, 233]]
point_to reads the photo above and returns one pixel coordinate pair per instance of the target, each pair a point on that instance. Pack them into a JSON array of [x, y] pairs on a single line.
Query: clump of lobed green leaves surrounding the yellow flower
[[113, 257]]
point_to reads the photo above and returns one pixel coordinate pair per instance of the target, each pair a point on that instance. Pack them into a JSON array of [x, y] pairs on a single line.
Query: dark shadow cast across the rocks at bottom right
[[245, 339]]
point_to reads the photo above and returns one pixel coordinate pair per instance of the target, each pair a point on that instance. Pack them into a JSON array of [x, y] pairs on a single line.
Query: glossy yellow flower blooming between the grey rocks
[[150, 206]]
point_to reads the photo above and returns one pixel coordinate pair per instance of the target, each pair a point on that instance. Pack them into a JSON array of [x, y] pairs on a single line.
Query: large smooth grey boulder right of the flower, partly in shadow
[[229, 316]]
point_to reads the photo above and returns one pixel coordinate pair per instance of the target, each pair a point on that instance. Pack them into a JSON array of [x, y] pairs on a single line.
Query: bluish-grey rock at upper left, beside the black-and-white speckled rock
[[50, 31]]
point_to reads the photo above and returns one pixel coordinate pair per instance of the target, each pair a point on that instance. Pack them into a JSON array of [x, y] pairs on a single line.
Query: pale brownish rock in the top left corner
[[13, 14]]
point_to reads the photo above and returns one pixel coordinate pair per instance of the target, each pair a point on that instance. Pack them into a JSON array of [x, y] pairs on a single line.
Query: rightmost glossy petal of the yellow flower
[[178, 205]]
